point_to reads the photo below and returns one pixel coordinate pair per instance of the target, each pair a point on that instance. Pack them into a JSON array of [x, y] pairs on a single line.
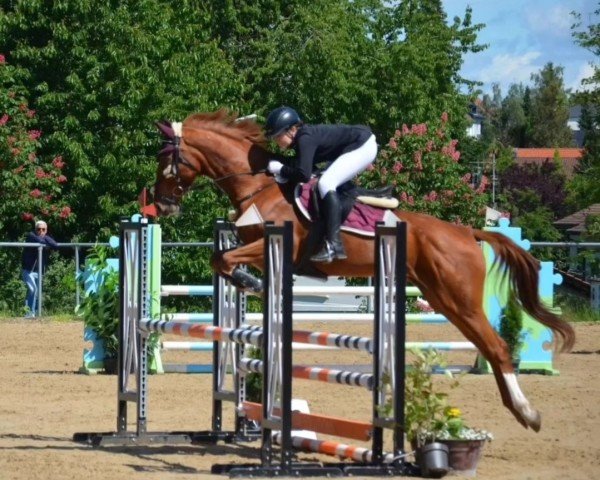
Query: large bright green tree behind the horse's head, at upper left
[[103, 73]]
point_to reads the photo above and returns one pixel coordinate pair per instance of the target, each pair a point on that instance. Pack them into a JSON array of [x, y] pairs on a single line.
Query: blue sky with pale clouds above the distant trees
[[523, 36]]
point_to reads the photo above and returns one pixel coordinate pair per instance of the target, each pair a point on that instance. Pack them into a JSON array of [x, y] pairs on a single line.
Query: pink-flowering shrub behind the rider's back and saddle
[[423, 165]]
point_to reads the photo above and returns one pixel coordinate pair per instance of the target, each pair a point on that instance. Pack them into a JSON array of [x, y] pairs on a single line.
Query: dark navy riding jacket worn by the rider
[[322, 143]]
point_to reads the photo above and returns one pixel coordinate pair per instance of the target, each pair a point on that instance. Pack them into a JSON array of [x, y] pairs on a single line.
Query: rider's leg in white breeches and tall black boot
[[341, 170]]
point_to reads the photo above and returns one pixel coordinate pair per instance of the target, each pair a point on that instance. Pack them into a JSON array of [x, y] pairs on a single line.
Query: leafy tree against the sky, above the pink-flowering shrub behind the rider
[[417, 65]]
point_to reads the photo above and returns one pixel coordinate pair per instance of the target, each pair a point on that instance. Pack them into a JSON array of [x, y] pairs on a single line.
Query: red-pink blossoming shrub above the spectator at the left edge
[[30, 187]]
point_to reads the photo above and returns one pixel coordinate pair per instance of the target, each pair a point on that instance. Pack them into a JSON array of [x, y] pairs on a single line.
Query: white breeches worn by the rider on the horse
[[347, 166]]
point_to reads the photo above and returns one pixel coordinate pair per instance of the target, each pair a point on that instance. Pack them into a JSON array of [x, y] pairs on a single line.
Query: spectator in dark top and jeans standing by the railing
[[30, 264]]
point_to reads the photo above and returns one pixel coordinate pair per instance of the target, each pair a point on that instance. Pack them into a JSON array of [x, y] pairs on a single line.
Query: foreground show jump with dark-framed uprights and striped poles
[[230, 335]]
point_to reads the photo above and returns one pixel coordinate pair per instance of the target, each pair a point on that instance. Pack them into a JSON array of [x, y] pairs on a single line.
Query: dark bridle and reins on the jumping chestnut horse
[[172, 146]]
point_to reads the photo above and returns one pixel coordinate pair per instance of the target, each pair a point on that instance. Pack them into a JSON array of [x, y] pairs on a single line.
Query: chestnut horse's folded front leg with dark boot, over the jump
[[226, 263]]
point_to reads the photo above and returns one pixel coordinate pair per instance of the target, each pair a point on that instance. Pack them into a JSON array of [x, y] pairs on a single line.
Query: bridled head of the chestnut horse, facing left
[[176, 172]]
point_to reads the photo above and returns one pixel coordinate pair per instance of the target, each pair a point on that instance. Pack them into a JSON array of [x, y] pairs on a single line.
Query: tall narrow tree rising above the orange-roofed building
[[550, 109]]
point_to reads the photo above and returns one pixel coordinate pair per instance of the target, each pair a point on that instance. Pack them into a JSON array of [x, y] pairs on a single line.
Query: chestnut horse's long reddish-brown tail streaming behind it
[[524, 277]]
